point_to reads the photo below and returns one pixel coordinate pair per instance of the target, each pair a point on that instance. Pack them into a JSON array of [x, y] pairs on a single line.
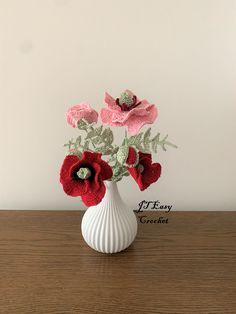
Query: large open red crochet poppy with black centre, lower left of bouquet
[[84, 177]]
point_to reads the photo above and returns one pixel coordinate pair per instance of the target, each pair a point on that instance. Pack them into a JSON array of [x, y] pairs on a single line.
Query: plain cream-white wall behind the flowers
[[179, 54]]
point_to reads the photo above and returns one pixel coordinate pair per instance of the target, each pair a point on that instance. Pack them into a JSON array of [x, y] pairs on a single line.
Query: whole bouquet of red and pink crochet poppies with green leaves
[[96, 158]]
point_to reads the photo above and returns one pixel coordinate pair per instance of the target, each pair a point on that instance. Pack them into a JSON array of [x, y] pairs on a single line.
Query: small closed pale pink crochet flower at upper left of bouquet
[[81, 111]]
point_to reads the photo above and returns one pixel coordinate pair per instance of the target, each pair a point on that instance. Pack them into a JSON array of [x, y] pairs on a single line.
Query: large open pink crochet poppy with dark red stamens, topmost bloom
[[128, 111]]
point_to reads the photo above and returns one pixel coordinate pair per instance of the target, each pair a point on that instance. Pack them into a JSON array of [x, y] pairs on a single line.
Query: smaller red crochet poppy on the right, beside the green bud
[[146, 172]]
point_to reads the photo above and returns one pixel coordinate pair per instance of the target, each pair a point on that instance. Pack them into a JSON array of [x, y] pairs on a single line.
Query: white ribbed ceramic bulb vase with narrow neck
[[110, 226]]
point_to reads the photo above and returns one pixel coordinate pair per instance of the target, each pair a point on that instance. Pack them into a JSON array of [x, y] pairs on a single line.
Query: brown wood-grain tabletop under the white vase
[[187, 265]]
